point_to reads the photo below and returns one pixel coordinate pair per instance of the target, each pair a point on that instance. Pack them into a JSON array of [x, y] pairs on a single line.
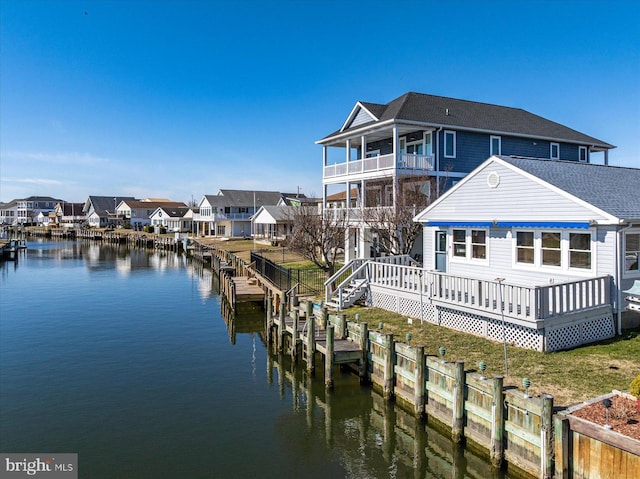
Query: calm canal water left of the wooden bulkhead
[[125, 357]]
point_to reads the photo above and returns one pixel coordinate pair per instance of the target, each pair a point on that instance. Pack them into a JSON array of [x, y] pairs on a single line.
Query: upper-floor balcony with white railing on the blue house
[[379, 166]]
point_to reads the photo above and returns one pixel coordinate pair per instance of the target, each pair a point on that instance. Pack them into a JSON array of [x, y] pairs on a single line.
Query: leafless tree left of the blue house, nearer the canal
[[318, 236]]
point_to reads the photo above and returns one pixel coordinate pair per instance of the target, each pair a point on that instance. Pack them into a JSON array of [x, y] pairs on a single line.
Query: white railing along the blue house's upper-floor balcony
[[406, 161]]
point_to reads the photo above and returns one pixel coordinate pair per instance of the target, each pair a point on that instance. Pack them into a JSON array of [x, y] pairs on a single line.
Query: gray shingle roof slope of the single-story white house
[[613, 189]]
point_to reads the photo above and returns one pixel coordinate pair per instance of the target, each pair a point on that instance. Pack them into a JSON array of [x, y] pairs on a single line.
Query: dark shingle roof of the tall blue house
[[439, 111]]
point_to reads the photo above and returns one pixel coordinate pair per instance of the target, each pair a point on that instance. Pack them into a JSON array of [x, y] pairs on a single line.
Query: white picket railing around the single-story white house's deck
[[525, 303]]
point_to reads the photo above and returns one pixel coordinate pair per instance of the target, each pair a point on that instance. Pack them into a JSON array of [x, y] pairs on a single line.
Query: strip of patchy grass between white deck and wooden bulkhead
[[570, 376]]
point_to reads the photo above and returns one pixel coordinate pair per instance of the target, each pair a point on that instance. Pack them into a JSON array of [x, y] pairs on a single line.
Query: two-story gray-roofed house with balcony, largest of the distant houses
[[229, 212]]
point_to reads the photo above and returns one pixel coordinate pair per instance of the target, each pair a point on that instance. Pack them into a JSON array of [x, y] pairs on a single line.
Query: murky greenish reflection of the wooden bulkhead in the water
[[366, 433]]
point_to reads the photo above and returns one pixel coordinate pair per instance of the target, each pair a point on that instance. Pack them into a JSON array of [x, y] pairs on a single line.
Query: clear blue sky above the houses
[[181, 98]]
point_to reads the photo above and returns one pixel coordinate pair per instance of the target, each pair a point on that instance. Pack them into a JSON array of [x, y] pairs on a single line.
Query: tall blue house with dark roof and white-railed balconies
[[423, 144]]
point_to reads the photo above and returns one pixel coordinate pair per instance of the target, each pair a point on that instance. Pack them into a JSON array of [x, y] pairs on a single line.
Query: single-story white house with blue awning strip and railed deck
[[535, 252]]
